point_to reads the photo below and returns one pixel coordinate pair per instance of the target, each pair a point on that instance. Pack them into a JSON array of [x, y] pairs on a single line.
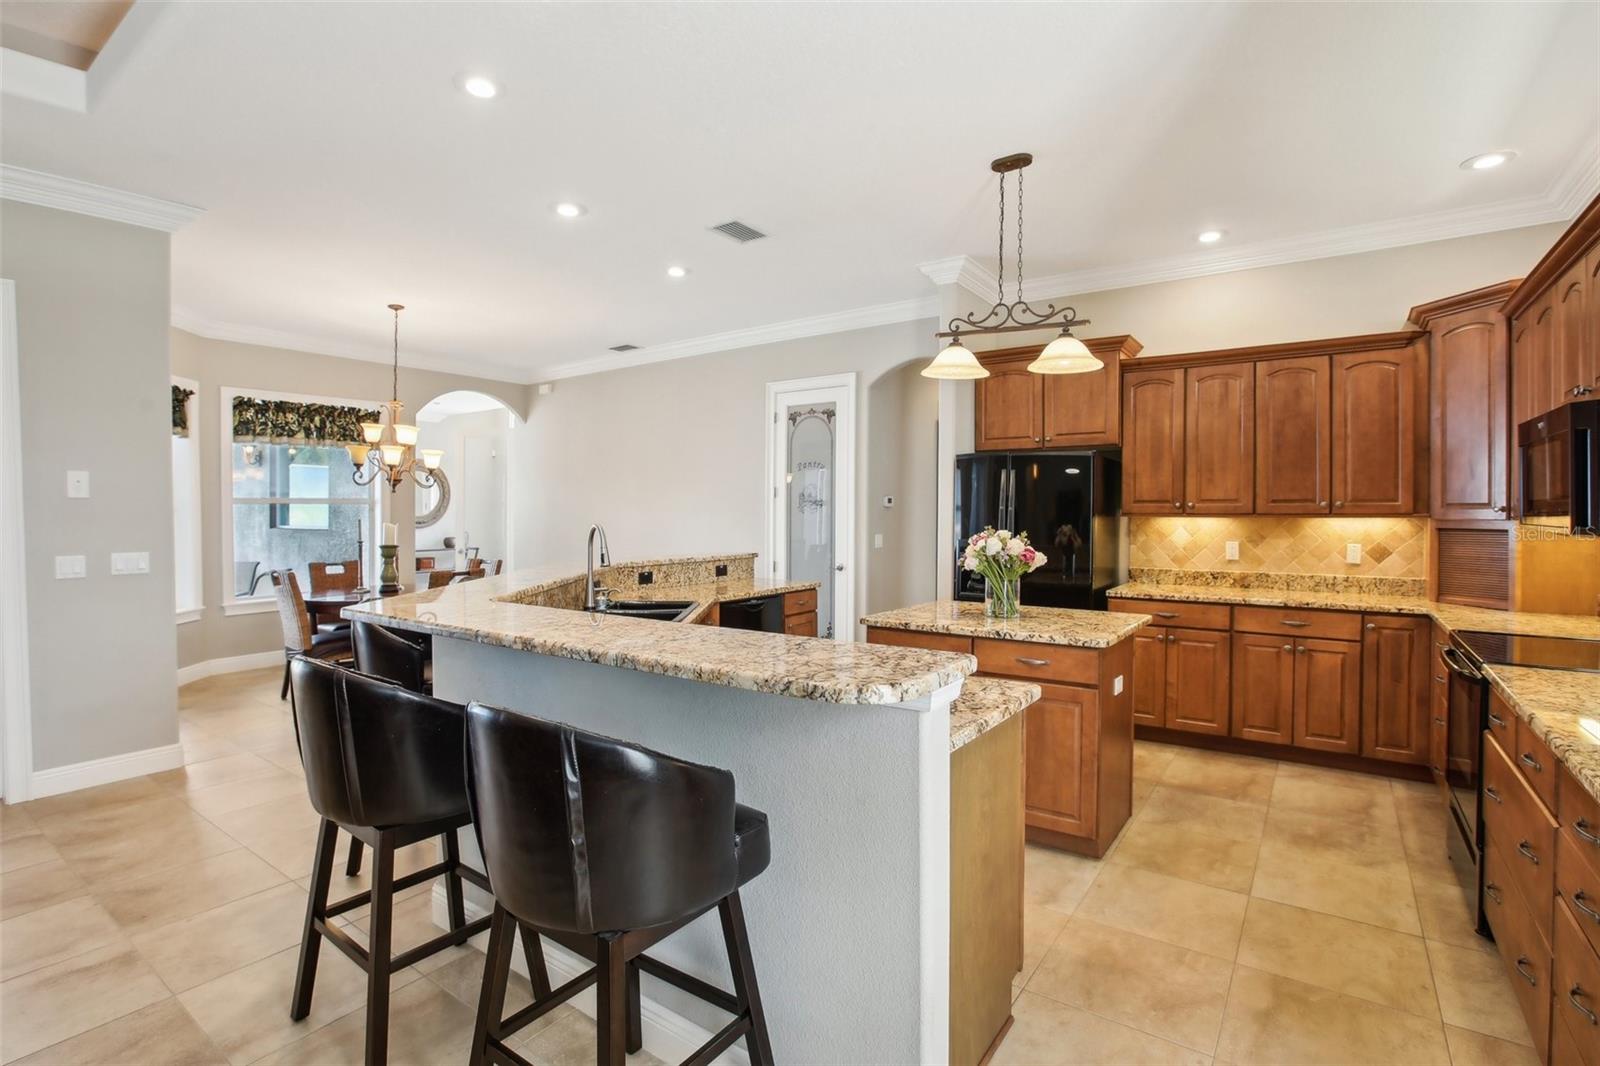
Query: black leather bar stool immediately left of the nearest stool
[[388, 767]]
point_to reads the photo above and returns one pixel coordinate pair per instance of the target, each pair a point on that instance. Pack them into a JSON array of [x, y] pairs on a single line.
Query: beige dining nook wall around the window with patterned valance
[[226, 364]]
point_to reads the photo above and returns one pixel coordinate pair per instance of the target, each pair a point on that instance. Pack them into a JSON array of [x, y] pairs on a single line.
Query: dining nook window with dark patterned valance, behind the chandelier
[[290, 505]]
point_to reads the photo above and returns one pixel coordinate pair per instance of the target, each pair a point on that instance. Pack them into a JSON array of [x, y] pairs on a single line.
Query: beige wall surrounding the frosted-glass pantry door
[[670, 457]]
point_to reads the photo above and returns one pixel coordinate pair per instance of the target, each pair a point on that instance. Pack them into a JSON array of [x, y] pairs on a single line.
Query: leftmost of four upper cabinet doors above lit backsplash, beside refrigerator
[[1153, 443]]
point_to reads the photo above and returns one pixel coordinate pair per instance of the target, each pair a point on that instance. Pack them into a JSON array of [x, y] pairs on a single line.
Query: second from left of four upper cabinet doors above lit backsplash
[[1220, 439]]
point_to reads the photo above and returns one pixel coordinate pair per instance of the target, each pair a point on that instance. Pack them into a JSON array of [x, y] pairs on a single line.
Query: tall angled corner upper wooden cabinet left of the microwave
[[1470, 420]]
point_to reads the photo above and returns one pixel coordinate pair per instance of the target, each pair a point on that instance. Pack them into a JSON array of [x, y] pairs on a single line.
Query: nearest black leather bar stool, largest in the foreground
[[607, 849]]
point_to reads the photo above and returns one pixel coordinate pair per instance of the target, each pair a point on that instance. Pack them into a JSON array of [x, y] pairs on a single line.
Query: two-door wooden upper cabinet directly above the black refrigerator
[[1018, 411]]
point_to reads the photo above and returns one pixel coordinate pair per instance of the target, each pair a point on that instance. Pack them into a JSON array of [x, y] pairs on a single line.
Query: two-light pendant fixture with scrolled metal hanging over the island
[[1063, 356]]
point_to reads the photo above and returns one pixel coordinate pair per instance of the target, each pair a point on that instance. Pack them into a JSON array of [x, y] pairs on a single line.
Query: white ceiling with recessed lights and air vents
[[342, 169]]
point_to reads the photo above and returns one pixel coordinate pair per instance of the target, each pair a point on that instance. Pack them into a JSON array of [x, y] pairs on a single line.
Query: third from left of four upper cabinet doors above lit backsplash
[[1294, 446]]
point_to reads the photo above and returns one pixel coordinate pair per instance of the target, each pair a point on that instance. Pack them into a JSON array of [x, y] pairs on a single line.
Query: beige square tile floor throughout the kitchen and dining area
[[1250, 913]]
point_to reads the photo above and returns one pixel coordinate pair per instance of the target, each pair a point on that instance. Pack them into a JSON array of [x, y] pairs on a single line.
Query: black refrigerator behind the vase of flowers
[[1070, 507]]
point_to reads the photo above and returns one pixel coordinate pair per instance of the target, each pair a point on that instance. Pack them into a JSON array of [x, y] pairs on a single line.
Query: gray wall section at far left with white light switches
[[94, 310]]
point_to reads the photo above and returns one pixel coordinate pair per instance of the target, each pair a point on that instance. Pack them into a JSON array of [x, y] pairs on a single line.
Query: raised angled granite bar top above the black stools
[[495, 612]]
